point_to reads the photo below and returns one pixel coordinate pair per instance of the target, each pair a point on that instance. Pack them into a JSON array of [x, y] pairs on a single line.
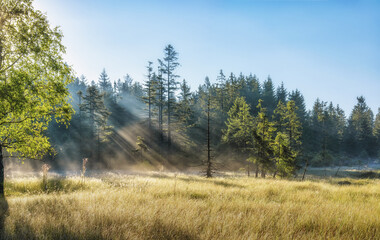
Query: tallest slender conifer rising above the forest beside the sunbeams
[[168, 65]]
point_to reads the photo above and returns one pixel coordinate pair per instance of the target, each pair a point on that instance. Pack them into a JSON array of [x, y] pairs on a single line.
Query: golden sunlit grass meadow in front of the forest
[[190, 207]]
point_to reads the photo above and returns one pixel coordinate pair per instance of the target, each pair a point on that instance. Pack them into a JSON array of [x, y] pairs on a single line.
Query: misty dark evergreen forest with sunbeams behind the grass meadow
[[227, 123]]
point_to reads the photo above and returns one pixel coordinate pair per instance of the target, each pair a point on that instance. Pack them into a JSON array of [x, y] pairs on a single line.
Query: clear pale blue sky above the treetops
[[327, 49]]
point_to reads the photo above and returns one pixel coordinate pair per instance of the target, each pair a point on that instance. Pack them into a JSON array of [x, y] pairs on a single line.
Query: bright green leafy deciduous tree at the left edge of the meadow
[[33, 81]]
